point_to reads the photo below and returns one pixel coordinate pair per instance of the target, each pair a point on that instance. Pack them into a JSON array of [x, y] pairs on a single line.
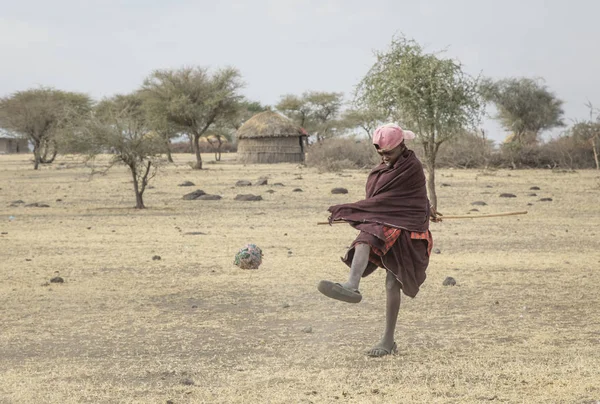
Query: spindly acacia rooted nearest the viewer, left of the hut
[[119, 125]]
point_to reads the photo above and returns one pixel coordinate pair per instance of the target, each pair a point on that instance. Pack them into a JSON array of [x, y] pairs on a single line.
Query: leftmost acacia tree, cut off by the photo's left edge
[[41, 115]]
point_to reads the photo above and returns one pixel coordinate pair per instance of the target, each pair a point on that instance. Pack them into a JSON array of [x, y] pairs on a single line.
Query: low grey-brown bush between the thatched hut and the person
[[343, 153]]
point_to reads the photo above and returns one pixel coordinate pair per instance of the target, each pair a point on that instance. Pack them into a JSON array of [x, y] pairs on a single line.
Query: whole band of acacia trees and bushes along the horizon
[[423, 91]]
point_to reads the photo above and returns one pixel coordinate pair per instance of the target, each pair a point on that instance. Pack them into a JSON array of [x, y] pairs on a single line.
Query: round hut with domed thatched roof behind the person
[[269, 137]]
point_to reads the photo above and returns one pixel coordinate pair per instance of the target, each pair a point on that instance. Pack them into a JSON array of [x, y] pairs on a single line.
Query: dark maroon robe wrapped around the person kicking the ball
[[395, 197]]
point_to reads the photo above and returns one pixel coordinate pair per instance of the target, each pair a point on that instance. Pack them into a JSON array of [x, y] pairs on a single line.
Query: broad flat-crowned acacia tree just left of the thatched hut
[[194, 99]]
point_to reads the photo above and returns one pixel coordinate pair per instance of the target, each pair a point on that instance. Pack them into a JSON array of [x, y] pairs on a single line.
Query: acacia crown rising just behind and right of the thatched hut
[[315, 111]]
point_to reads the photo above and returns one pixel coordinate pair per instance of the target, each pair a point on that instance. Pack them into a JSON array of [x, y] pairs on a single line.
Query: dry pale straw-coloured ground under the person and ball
[[522, 325]]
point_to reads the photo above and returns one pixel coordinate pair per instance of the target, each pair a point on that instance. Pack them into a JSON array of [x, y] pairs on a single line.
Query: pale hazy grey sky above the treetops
[[103, 47]]
